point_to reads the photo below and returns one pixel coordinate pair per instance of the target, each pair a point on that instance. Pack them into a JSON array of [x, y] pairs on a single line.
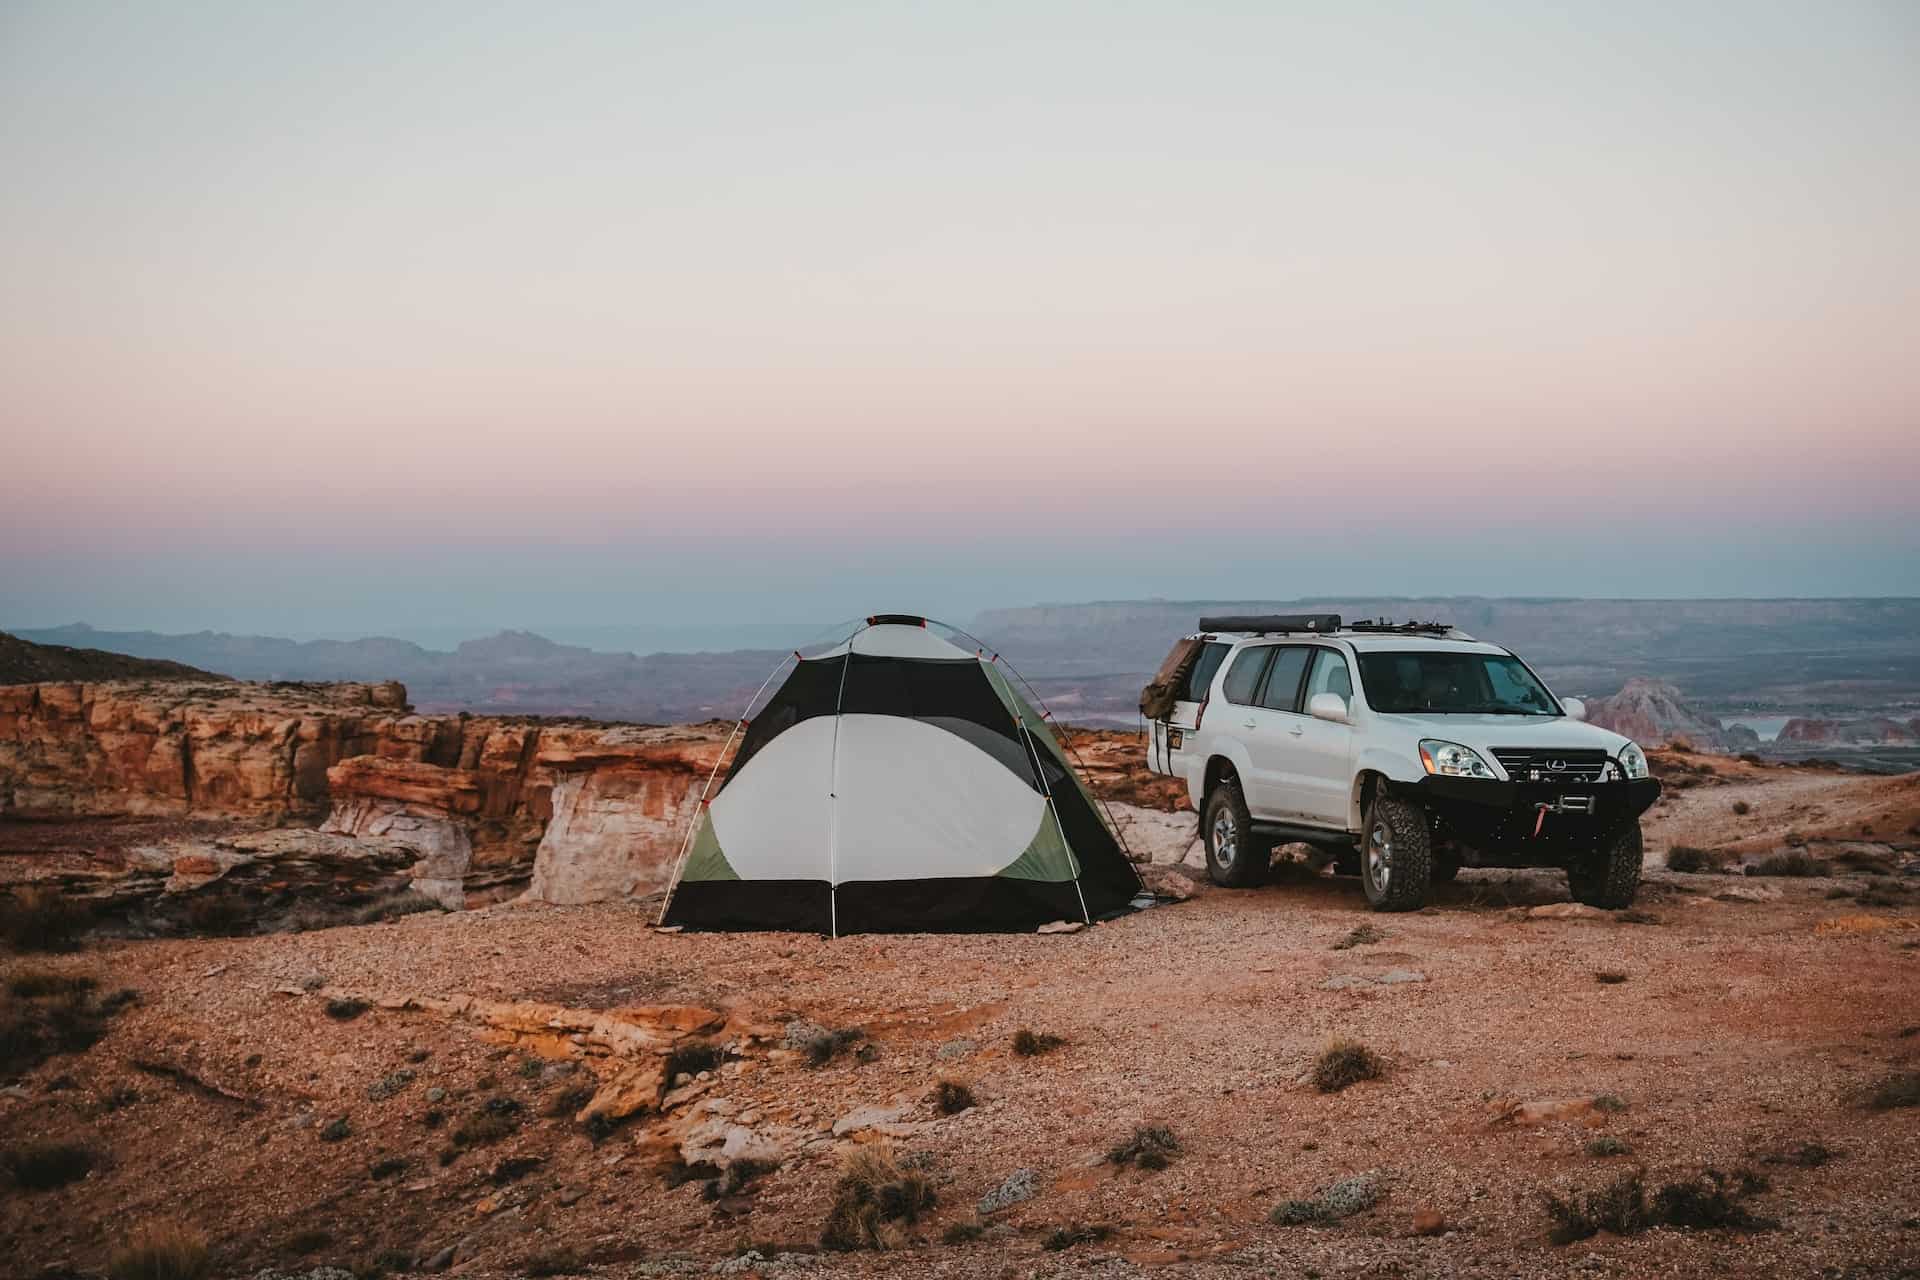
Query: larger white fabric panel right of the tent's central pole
[[921, 803]]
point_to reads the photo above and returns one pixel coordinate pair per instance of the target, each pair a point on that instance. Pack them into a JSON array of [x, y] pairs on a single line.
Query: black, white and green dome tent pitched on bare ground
[[898, 784]]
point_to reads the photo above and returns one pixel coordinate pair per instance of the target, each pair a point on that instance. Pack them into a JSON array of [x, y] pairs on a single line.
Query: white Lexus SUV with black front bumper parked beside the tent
[[1404, 749]]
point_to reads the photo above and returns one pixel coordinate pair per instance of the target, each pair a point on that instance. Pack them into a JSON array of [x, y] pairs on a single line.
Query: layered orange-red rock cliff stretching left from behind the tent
[[585, 811]]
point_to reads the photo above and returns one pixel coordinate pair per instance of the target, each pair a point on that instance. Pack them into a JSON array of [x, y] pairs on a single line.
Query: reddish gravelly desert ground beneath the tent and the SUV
[[487, 1093]]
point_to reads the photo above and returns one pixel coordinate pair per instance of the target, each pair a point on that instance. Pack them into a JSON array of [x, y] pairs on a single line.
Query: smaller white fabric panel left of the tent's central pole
[[773, 820]]
